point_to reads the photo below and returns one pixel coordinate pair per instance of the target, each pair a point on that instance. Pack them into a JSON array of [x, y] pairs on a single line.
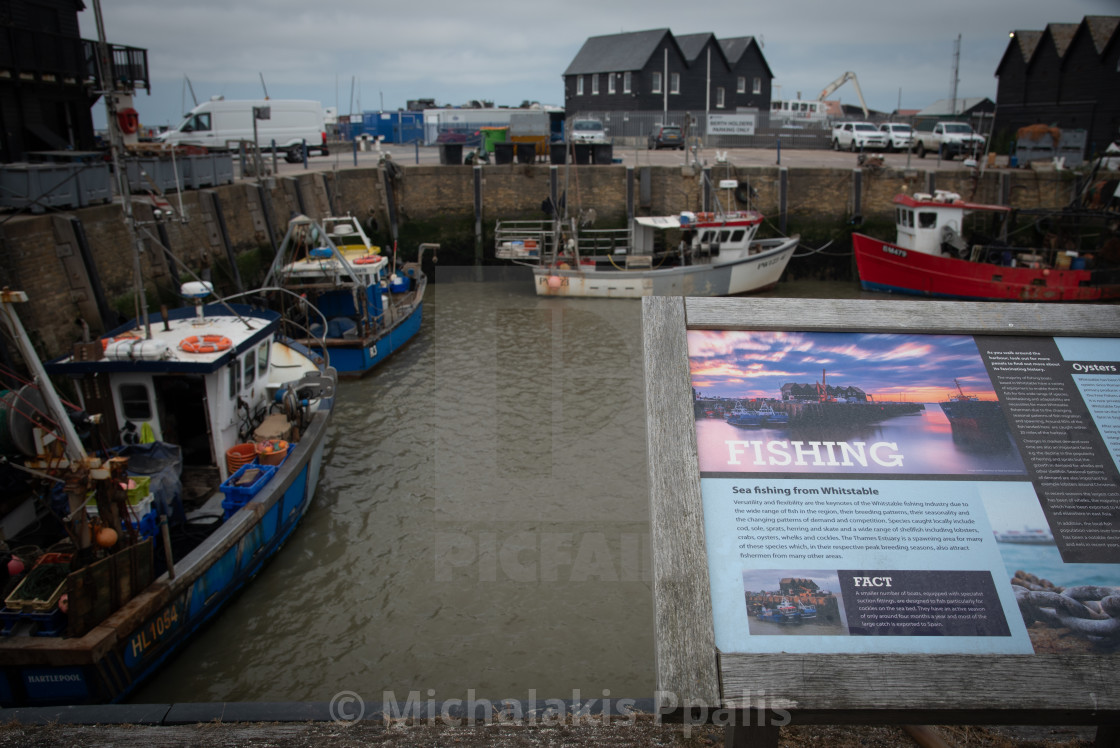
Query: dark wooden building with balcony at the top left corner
[[49, 78]]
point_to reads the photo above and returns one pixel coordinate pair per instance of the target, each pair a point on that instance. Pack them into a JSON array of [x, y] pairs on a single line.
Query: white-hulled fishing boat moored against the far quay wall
[[708, 254]]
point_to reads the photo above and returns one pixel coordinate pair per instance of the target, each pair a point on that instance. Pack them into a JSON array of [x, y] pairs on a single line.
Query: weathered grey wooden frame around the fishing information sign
[[698, 684]]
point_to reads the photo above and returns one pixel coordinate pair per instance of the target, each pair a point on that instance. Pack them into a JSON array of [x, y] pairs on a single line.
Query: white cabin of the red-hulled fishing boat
[[927, 222]]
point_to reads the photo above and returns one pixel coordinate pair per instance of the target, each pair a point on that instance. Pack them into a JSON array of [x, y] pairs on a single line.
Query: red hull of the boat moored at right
[[886, 267]]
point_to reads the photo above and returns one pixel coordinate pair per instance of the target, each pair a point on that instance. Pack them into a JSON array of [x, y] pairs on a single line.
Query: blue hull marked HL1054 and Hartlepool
[[109, 662]]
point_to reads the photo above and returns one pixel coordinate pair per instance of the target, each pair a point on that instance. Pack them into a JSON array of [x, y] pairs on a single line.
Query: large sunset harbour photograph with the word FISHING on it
[[846, 404]]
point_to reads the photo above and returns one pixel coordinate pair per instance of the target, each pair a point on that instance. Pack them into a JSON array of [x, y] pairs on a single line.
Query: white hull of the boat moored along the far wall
[[752, 274]]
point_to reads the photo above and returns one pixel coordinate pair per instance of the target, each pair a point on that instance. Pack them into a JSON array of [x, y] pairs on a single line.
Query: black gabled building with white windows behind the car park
[[655, 71]]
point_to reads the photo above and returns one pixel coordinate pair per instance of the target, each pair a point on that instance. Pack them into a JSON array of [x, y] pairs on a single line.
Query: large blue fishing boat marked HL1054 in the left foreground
[[190, 459]]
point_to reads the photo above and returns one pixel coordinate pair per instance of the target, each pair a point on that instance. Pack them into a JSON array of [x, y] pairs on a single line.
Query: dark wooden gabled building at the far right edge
[[1066, 76]]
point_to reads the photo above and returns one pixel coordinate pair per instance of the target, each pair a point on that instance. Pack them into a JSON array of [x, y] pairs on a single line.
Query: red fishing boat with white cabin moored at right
[[932, 257]]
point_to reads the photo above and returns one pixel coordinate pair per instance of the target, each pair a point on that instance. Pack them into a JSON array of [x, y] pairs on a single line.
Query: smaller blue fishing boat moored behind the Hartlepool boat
[[339, 294]]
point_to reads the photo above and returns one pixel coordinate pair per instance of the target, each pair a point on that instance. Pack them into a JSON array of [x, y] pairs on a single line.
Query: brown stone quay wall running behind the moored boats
[[80, 265]]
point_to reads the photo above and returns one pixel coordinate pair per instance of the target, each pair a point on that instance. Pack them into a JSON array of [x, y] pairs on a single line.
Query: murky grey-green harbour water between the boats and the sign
[[481, 527]]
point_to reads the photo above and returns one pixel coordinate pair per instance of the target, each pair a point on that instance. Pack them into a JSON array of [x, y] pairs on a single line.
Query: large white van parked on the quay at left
[[221, 125]]
